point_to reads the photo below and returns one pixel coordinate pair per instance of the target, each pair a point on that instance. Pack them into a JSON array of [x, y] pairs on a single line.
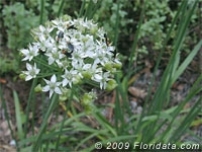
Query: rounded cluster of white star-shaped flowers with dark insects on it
[[68, 52]]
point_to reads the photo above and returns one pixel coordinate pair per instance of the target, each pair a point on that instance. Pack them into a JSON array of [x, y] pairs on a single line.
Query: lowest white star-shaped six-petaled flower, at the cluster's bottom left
[[52, 86]]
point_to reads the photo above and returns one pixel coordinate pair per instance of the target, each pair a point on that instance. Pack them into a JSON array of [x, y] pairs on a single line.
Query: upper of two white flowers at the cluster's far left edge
[[29, 53]]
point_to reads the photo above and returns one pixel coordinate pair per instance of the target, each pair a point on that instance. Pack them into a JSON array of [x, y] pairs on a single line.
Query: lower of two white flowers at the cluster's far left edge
[[32, 71]]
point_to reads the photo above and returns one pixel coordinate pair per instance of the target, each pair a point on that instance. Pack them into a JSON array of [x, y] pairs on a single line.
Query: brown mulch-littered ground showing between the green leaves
[[137, 94]]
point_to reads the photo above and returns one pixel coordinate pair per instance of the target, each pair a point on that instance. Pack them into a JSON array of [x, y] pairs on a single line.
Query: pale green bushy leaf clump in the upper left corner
[[18, 22]]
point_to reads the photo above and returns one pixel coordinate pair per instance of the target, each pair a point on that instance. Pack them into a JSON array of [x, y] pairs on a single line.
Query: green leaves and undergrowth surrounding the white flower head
[[161, 39]]
